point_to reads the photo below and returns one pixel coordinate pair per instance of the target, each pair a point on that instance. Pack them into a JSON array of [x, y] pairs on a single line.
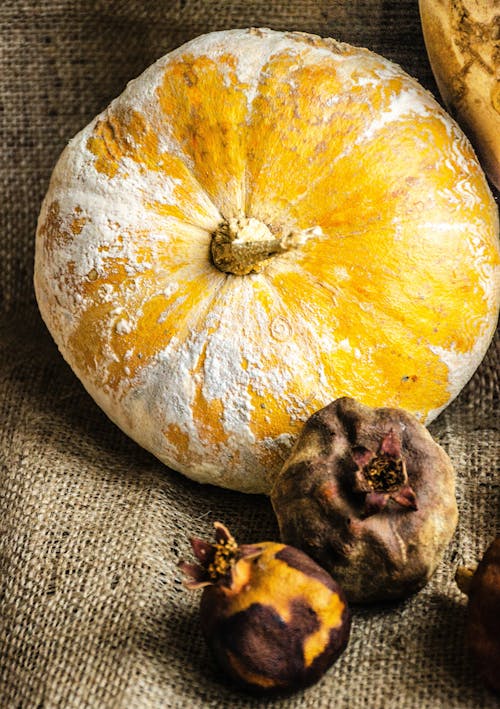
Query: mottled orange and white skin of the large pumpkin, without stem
[[385, 289]]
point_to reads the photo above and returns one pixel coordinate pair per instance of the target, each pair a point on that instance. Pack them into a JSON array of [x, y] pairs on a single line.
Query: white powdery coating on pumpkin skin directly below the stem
[[226, 361]]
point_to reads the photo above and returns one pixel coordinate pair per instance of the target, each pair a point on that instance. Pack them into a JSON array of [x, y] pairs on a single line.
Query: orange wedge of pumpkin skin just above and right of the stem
[[299, 108]]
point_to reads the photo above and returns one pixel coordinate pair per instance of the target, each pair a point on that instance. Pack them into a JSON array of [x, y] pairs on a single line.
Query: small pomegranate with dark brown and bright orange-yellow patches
[[274, 619]]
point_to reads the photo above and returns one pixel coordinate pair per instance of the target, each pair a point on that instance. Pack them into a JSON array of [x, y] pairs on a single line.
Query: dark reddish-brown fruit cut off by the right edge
[[482, 585]]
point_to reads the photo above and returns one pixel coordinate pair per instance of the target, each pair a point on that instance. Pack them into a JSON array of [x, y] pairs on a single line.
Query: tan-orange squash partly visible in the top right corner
[[462, 41]]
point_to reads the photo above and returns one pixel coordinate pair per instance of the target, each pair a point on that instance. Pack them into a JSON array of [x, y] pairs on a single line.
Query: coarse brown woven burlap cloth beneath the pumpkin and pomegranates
[[92, 610]]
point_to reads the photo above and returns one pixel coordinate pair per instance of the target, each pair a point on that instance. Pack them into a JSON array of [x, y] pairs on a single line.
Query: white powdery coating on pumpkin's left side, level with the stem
[[112, 210]]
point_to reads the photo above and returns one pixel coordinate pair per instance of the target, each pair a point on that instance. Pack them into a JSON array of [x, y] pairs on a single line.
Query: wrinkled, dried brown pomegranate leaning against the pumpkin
[[370, 496]]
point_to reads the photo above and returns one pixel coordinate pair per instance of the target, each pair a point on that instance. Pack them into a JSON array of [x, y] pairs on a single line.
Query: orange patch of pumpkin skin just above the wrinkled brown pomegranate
[[365, 359]]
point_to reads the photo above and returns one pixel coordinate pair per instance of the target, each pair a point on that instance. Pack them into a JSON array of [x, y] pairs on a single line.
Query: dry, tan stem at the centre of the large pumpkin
[[240, 244]]
